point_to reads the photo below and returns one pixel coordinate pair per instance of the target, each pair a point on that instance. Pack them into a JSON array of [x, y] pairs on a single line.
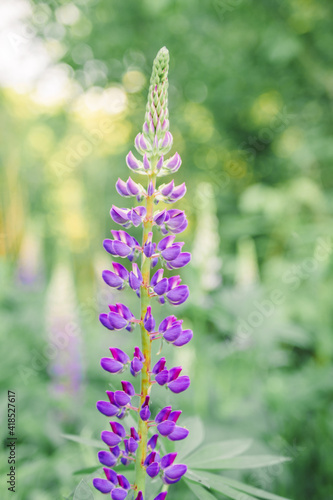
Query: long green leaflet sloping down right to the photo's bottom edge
[[229, 487]]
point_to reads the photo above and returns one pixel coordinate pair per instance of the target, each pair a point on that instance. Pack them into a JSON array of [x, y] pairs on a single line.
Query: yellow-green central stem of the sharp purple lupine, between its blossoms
[[140, 473]]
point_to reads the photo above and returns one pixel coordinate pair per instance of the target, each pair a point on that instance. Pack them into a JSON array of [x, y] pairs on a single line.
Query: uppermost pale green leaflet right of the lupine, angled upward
[[217, 451]]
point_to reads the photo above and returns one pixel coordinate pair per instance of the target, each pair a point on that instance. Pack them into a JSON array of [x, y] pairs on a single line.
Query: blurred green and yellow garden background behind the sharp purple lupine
[[251, 94]]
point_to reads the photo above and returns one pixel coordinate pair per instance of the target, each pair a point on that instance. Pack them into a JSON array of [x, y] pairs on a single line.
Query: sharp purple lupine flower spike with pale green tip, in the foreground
[[123, 444]]
